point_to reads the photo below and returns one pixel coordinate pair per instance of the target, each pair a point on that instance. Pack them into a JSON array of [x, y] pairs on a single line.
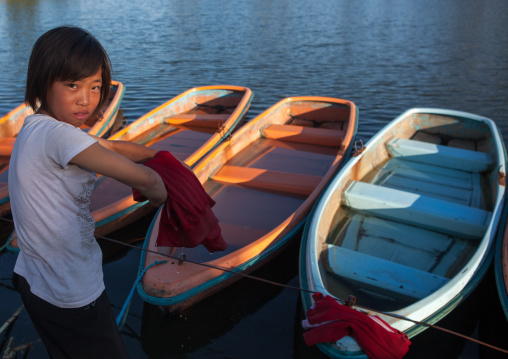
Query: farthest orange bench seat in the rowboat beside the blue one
[[302, 134]]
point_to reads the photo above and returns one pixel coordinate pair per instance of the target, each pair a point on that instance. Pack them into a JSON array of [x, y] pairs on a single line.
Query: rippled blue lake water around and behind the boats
[[386, 56]]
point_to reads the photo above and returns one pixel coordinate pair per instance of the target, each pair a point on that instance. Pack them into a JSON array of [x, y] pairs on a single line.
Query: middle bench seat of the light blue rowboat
[[423, 211]]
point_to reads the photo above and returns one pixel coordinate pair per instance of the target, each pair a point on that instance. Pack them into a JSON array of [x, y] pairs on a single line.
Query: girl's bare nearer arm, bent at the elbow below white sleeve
[[101, 160]]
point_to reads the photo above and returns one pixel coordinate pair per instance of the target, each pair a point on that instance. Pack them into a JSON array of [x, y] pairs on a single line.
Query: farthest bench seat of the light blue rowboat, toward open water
[[439, 155]]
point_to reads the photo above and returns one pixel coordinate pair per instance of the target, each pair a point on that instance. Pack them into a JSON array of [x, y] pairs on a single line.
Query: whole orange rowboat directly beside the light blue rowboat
[[264, 180]]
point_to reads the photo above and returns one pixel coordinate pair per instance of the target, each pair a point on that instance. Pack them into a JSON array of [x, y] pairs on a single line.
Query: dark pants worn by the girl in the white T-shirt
[[86, 332]]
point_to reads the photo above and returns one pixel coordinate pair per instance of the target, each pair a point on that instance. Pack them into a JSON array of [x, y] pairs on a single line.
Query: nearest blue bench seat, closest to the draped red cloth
[[392, 279]]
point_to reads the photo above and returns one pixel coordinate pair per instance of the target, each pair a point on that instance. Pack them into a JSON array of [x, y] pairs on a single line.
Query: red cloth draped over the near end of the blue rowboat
[[333, 321]]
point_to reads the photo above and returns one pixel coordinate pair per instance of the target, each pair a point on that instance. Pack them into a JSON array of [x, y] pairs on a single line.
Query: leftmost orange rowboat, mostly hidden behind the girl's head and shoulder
[[11, 123]]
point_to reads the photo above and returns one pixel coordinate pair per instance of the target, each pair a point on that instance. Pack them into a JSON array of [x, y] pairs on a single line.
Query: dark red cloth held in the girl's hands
[[187, 219]]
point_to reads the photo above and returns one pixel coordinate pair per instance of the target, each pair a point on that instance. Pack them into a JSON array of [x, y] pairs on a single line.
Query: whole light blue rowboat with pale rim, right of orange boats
[[407, 226]]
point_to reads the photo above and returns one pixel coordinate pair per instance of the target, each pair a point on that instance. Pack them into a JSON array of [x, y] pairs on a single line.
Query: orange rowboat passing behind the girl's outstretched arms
[[189, 126]]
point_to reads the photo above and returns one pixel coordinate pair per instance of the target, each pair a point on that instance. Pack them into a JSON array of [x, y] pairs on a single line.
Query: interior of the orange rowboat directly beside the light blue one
[[275, 172]]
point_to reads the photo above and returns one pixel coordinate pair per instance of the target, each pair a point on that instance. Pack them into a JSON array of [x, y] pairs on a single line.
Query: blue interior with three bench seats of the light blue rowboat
[[412, 212]]
